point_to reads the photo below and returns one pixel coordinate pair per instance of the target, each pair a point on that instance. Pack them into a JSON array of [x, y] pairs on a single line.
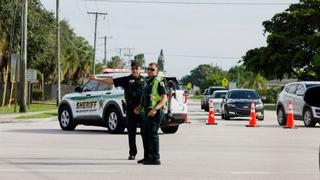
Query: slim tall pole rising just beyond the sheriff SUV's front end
[[58, 52]]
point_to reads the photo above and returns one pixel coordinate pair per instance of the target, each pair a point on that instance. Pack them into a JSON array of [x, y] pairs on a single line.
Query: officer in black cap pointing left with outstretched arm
[[133, 86]]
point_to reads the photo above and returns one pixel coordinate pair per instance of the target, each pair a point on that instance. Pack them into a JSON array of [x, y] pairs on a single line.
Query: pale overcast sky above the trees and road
[[221, 33]]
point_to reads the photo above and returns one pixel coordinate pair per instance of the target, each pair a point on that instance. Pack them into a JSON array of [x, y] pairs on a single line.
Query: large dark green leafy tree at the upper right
[[293, 44]]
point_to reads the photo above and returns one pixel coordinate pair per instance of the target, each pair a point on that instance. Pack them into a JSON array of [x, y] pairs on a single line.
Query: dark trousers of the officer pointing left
[[132, 122]]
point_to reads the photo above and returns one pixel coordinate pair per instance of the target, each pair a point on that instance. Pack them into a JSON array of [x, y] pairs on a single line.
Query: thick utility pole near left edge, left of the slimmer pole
[[23, 66]]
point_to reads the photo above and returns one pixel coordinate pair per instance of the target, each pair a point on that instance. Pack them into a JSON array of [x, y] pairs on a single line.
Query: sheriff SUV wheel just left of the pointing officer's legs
[[114, 121]]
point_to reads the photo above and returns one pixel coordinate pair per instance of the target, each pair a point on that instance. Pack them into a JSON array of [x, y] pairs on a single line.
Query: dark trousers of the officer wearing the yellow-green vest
[[151, 126]]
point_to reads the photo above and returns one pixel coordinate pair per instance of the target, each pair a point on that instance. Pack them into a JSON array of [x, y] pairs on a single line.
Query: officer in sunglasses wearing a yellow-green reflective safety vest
[[153, 101]]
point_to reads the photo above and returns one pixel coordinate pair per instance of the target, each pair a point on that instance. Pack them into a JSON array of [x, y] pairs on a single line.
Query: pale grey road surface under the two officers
[[40, 150]]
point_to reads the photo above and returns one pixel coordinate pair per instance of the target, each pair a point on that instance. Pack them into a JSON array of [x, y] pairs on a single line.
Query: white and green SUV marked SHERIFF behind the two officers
[[99, 104]]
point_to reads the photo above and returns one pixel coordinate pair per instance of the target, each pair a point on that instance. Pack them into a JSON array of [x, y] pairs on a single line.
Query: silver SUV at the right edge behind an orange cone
[[304, 101]]
